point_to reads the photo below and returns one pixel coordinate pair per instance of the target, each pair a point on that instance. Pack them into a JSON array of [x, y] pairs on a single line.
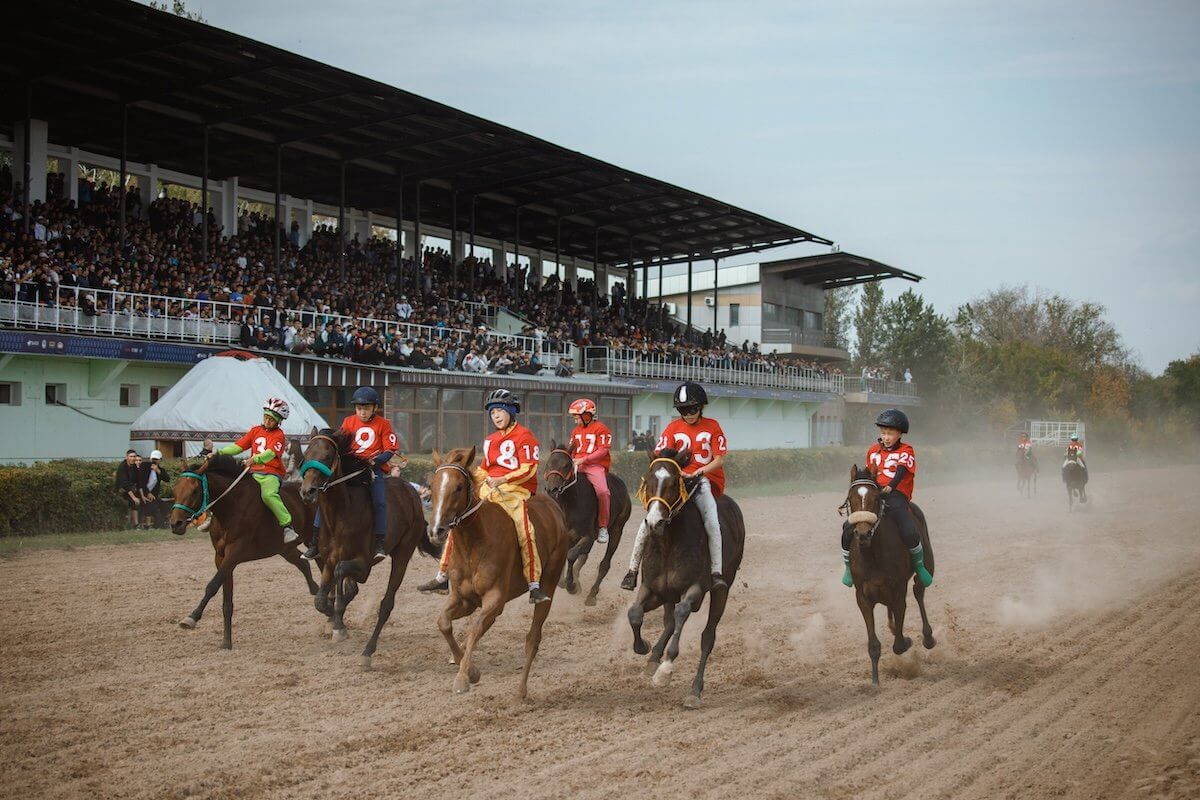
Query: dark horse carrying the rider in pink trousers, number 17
[[579, 503]]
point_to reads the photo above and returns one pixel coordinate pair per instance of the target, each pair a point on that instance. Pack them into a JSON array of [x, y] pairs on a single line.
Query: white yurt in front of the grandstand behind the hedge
[[220, 399]]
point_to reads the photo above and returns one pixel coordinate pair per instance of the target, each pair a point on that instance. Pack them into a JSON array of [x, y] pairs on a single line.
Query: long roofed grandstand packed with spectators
[[389, 238]]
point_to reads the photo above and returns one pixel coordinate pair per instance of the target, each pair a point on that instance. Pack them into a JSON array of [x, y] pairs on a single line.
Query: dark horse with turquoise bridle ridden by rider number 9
[[340, 485]]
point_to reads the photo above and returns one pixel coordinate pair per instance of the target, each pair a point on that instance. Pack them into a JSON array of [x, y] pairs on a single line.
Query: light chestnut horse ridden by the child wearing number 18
[[485, 566]]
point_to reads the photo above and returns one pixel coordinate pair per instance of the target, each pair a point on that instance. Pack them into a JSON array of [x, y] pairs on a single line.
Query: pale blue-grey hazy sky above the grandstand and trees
[[979, 145]]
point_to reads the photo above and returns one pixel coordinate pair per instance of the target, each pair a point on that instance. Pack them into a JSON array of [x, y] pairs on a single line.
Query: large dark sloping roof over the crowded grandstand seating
[[85, 59]]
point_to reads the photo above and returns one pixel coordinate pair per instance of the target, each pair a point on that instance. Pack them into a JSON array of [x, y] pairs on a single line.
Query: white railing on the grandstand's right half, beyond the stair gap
[[631, 364]]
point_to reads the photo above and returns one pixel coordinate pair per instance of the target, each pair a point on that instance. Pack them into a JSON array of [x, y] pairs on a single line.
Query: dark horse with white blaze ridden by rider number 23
[[676, 567]]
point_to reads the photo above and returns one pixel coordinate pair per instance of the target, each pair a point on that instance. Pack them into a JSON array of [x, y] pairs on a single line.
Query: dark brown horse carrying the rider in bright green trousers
[[243, 530]]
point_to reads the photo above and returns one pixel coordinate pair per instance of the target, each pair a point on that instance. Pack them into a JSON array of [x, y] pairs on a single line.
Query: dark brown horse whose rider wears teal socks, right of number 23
[[881, 566]]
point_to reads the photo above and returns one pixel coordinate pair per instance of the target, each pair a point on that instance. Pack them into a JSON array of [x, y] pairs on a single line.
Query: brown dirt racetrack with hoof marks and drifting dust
[[1066, 666]]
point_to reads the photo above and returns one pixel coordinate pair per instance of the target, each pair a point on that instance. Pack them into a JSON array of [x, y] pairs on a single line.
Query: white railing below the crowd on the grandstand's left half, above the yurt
[[113, 312]]
